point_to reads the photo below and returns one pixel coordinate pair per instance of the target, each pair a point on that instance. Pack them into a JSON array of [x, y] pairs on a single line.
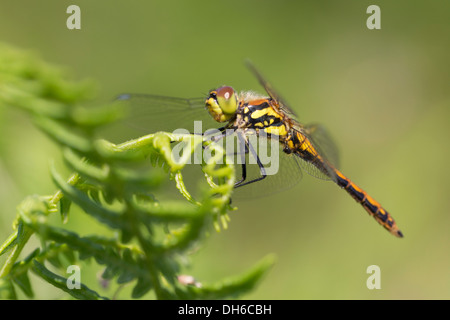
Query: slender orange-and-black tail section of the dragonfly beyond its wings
[[372, 207]]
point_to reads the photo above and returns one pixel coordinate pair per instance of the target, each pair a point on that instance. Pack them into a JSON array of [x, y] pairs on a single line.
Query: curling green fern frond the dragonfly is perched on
[[116, 185]]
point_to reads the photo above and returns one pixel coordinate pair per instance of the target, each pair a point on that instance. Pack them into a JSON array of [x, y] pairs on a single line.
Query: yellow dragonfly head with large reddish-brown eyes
[[222, 103]]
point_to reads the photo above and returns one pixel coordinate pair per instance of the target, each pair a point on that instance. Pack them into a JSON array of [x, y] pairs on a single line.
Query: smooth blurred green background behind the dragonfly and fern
[[383, 94]]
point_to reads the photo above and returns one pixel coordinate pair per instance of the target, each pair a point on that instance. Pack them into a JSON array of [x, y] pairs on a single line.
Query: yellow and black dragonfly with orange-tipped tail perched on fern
[[248, 113]]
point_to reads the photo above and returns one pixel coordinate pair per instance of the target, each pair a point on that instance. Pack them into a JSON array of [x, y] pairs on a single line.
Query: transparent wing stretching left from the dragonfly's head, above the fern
[[151, 113]]
